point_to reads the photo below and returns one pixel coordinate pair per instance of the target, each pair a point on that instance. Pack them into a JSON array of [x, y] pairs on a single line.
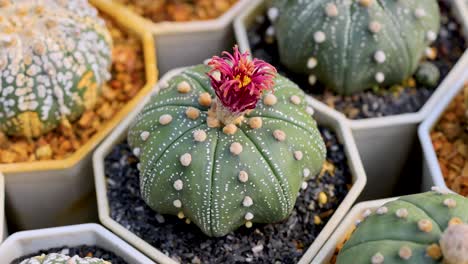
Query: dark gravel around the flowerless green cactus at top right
[[399, 99]]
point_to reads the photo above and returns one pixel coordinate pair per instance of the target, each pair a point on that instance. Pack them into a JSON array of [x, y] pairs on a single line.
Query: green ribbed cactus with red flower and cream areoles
[[226, 144]]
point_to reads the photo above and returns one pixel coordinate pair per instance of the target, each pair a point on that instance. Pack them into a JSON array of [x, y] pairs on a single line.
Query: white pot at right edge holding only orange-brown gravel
[[432, 174]]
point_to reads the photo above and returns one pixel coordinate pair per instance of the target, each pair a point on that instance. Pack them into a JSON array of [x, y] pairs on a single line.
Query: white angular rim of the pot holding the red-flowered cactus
[[338, 125]]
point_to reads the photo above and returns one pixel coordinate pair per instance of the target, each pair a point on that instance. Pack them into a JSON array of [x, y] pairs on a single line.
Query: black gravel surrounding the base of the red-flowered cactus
[[283, 242]]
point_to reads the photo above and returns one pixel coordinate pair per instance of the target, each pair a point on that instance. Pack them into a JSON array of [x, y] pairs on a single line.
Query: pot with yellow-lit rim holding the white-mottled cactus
[[61, 192]]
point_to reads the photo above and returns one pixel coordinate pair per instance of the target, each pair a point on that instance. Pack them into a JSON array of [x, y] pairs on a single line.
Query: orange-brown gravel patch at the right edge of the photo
[[450, 138]]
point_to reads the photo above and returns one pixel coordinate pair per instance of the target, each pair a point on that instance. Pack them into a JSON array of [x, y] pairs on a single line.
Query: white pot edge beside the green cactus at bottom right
[[344, 229]]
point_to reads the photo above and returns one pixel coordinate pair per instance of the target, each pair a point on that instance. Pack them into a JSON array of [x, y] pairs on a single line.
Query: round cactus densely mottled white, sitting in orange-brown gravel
[[54, 58]]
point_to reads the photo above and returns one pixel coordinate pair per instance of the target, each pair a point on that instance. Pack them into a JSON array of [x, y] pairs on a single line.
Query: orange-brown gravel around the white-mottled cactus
[[128, 77]]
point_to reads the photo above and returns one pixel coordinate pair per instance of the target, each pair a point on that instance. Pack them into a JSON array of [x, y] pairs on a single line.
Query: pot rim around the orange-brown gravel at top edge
[[171, 27]]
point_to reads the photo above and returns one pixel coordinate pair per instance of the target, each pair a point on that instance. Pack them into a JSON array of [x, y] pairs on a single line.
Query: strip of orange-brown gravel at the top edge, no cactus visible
[[179, 10]]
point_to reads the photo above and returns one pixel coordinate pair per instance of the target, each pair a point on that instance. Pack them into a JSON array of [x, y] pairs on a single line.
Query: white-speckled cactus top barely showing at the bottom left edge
[[55, 258]]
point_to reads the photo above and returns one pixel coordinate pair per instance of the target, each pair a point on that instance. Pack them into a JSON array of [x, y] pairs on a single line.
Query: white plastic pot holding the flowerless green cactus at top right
[[385, 142]]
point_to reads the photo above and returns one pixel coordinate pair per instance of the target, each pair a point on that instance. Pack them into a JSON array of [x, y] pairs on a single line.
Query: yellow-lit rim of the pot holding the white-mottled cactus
[[151, 75]]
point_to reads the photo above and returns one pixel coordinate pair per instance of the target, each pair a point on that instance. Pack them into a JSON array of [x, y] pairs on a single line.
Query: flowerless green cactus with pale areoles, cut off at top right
[[352, 45]]
